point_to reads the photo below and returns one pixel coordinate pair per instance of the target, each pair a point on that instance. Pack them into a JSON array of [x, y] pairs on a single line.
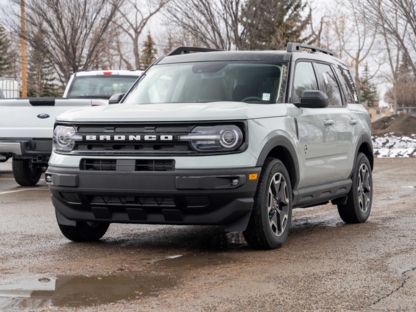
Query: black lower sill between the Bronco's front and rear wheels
[[311, 196]]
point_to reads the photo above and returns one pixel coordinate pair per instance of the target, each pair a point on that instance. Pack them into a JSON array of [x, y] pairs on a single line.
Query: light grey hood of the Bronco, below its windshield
[[175, 112]]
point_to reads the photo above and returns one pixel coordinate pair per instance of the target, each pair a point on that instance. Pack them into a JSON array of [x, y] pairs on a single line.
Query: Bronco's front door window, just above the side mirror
[[305, 79]]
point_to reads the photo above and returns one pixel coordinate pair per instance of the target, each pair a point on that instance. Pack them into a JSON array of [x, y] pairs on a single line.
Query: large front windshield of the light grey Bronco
[[209, 82]]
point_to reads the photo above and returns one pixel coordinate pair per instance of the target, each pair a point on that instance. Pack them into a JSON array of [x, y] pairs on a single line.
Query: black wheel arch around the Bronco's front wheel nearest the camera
[[281, 148]]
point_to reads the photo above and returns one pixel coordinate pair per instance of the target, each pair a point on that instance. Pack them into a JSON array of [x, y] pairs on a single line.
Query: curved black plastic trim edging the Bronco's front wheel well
[[281, 141]]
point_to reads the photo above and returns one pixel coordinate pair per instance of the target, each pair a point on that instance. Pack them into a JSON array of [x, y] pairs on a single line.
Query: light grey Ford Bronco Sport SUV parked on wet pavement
[[236, 139]]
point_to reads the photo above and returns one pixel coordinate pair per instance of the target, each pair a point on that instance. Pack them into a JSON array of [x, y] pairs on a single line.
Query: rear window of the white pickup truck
[[102, 87]]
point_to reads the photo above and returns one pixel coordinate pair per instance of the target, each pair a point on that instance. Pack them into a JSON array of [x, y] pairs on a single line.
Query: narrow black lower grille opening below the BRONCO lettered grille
[[127, 165]]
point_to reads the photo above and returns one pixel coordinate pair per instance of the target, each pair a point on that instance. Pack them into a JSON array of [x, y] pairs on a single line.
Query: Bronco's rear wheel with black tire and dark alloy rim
[[360, 197]]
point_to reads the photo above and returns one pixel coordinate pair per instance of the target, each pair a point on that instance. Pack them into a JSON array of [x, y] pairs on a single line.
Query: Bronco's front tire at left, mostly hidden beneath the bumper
[[84, 231]]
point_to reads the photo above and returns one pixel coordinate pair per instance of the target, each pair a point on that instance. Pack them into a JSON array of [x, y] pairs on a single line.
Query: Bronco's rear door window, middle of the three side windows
[[329, 84]]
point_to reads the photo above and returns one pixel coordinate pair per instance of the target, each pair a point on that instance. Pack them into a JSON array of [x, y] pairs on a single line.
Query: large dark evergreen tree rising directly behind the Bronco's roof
[[270, 25]]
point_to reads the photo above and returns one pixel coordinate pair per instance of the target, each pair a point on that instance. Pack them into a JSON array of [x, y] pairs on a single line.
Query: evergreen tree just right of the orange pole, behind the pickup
[[40, 76]]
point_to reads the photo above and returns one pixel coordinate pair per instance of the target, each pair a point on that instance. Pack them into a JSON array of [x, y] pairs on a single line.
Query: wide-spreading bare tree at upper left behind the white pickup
[[72, 30]]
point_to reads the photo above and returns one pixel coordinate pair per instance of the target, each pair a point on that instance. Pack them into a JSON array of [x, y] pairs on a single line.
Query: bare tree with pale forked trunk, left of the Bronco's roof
[[134, 17]]
